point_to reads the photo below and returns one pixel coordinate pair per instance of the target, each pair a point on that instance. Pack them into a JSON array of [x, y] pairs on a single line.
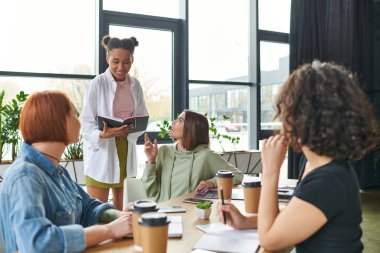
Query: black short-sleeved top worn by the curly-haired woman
[[333, 189]]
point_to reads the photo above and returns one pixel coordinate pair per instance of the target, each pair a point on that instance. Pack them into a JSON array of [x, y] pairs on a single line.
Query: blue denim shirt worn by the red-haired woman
[[42, 209]]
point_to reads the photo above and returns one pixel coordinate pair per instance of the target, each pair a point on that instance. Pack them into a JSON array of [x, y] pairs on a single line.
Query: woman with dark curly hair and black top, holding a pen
[[327, 116]]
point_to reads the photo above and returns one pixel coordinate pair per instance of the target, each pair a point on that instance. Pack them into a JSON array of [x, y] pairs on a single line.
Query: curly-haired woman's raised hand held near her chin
[[273, 153]]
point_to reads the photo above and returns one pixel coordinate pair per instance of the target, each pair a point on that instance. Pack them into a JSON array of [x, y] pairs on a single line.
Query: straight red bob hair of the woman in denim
[[43, 117]]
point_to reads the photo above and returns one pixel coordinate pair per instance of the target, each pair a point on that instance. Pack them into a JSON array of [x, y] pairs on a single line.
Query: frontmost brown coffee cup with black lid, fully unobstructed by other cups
[[154, 232]]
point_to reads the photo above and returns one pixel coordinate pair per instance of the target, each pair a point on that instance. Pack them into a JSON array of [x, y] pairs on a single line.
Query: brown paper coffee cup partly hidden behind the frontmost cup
[[140, 207]]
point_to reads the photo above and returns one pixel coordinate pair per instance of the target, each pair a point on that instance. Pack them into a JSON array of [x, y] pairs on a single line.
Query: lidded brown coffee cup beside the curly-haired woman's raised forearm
[[252, 190]]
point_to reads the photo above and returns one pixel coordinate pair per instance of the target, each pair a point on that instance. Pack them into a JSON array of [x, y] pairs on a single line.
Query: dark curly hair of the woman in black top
[[323, 107]]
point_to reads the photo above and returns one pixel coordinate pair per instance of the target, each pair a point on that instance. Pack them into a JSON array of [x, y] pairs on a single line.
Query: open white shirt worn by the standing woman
[[101, 161]]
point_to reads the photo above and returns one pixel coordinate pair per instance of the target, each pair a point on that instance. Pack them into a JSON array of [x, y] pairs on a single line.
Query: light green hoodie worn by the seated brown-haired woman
[[176, 173]]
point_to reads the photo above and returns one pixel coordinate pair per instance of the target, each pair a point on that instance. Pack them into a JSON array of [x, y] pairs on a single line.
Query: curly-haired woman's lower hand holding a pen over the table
[[234, 218]]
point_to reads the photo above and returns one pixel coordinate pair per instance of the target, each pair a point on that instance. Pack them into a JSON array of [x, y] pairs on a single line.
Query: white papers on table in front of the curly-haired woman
[[222, 238]]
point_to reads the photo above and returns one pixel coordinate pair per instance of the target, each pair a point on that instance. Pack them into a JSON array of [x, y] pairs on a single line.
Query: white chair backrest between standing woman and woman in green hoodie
[[133, 190]]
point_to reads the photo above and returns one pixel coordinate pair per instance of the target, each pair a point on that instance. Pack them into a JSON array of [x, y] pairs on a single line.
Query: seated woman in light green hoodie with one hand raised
[[190, 164]]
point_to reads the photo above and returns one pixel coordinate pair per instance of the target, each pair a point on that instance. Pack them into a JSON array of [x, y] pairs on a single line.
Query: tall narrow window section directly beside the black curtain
[[273, 51]]
